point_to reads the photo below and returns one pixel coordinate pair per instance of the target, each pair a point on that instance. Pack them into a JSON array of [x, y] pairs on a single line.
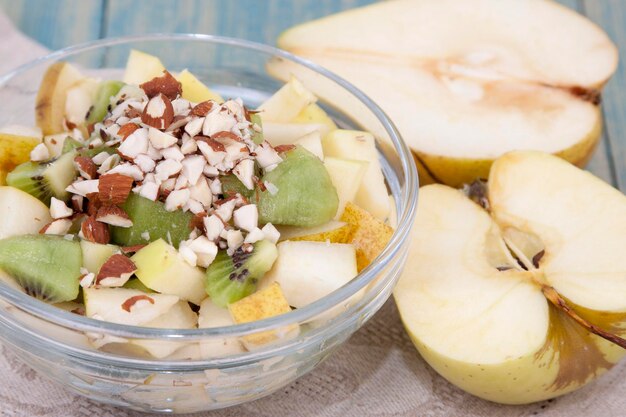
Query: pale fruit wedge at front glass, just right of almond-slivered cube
[[180, 316]]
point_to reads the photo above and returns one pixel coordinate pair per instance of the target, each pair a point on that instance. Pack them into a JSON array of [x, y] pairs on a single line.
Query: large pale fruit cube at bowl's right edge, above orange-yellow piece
[[372, 194]]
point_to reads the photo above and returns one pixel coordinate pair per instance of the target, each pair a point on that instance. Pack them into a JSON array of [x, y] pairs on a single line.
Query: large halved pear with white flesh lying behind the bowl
[[465, 81]]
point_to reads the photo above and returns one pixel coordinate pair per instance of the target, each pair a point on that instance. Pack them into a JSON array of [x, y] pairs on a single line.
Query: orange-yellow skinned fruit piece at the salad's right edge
[[370, 234]]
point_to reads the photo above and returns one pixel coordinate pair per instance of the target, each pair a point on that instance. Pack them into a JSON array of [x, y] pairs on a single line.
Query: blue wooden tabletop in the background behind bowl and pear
[[59, 23]]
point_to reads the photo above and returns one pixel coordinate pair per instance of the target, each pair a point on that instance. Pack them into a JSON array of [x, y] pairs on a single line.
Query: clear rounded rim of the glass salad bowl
[[405, 215]]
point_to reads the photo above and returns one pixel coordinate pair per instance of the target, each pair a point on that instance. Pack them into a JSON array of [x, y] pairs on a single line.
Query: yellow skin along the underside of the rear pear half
[[458, 171]]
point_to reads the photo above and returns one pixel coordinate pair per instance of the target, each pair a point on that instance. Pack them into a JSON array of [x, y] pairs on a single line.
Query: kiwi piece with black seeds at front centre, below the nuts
[[229, 279]]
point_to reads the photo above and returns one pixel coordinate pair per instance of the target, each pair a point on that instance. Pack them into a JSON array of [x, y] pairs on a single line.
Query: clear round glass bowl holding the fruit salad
[[201, 374]]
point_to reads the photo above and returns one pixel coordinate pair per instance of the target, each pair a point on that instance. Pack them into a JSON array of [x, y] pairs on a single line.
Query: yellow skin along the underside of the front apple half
[[521, 380]]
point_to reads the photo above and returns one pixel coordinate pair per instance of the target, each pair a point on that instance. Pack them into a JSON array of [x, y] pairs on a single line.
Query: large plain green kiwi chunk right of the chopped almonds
[[305, 196]]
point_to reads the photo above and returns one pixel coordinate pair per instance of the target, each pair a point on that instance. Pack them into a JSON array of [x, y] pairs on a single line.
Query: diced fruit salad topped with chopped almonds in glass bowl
[[153, 201]]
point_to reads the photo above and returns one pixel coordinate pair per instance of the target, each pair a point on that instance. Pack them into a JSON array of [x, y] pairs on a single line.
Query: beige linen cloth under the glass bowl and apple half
[[376, 373]]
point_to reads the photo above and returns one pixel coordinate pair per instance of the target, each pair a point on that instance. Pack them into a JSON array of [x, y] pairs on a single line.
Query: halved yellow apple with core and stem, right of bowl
[[504, 332]]
